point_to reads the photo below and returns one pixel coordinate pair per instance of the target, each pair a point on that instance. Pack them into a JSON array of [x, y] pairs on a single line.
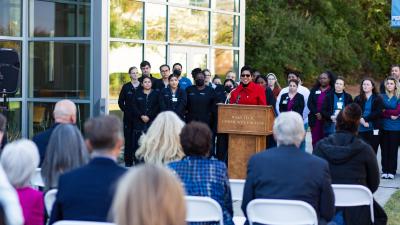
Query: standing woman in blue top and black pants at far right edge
[[390, 133]]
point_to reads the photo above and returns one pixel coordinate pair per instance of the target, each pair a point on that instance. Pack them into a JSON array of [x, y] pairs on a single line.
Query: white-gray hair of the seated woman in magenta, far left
[[19, 160]]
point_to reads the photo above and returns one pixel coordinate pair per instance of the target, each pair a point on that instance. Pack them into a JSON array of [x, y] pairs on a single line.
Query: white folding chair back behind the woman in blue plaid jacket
[[203, 209]]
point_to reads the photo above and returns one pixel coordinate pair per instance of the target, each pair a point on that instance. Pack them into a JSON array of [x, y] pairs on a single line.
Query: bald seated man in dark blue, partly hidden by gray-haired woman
[[64, 112]]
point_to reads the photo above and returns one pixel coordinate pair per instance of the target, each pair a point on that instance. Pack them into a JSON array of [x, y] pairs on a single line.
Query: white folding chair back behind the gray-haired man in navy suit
[[277, 211]]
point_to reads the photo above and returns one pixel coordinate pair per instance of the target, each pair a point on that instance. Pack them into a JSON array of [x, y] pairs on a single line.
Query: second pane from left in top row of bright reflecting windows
[[156, 22]]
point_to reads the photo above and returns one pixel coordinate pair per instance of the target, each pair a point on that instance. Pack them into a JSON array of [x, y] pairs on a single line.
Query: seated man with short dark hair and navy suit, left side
[[86, 193]]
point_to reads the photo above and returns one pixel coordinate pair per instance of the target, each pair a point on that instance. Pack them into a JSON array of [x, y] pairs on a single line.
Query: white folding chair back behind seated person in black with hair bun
[[347, 195]]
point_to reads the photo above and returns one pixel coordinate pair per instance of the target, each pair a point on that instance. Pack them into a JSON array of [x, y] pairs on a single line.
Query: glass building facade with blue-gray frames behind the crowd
[[82, 49]]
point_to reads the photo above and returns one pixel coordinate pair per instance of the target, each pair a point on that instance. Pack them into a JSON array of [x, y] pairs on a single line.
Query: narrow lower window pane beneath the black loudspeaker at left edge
[[13, 121]]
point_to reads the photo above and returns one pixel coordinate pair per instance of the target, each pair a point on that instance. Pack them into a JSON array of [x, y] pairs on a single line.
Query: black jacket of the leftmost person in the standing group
[[126, 101]]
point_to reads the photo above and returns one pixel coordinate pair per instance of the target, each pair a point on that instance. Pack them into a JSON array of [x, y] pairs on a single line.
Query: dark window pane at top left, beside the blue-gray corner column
[[51, 19]]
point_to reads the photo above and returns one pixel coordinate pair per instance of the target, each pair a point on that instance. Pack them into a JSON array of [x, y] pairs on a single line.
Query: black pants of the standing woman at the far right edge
[[389, 141]]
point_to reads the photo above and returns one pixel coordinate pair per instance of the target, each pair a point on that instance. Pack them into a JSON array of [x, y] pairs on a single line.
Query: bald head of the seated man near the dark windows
[[65, 112]]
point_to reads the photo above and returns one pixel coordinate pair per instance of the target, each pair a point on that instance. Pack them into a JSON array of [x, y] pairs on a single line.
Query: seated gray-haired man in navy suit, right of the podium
[[286, 172]]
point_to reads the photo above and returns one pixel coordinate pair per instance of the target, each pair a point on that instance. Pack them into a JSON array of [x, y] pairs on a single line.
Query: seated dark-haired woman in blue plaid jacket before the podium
[[203, 176]]
